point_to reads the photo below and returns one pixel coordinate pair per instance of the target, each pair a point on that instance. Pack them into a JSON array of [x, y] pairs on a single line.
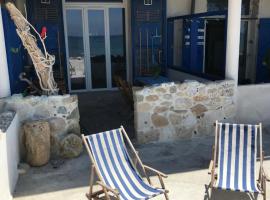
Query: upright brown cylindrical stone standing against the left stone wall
[[37, 142]]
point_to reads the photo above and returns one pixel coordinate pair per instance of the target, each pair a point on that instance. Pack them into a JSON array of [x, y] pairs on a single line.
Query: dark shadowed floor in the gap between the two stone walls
[[101, 111]]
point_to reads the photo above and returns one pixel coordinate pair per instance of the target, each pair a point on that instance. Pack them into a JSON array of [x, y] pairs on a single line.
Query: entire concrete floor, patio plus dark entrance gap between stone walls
[[186, 162]]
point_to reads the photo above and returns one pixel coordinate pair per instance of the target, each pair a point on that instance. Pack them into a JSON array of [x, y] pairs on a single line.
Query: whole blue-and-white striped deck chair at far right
[[235, 155]]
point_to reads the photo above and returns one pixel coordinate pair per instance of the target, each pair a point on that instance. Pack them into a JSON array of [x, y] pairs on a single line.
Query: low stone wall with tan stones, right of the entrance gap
[[182, 110]]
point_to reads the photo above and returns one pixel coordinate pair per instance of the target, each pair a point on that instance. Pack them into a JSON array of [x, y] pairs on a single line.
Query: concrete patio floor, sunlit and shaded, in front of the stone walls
[[185, 162]]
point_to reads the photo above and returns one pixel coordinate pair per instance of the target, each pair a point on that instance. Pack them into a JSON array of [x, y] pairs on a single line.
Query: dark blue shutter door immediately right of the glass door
[[148, 29]]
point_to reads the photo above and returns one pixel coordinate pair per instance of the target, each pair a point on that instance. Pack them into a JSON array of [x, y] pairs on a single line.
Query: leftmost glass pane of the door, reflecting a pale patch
[[75, 49]]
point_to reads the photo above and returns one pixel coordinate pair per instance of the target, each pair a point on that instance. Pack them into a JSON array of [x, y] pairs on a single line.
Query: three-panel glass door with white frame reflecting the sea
[[96, 43]]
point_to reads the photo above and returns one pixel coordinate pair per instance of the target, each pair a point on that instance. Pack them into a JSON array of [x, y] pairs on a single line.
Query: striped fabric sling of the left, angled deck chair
[[116, 168]]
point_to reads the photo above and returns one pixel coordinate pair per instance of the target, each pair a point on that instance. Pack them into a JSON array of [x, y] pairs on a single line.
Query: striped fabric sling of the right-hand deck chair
[[237, 157]]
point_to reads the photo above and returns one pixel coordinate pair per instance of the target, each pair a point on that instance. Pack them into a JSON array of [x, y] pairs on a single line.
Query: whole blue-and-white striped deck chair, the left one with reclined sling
[[115, 170]]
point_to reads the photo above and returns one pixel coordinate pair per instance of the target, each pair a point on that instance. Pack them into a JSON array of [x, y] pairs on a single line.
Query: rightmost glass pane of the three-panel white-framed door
[[117, 41]]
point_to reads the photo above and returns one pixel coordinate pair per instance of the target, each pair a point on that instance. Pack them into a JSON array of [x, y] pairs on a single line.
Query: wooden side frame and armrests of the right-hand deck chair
[[263, 177]]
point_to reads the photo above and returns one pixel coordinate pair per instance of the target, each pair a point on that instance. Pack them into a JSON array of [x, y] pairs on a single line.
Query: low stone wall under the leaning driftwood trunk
[[61, 112]]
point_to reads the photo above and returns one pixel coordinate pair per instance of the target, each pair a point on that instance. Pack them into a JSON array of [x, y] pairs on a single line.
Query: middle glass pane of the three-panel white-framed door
[[97, 48]]
